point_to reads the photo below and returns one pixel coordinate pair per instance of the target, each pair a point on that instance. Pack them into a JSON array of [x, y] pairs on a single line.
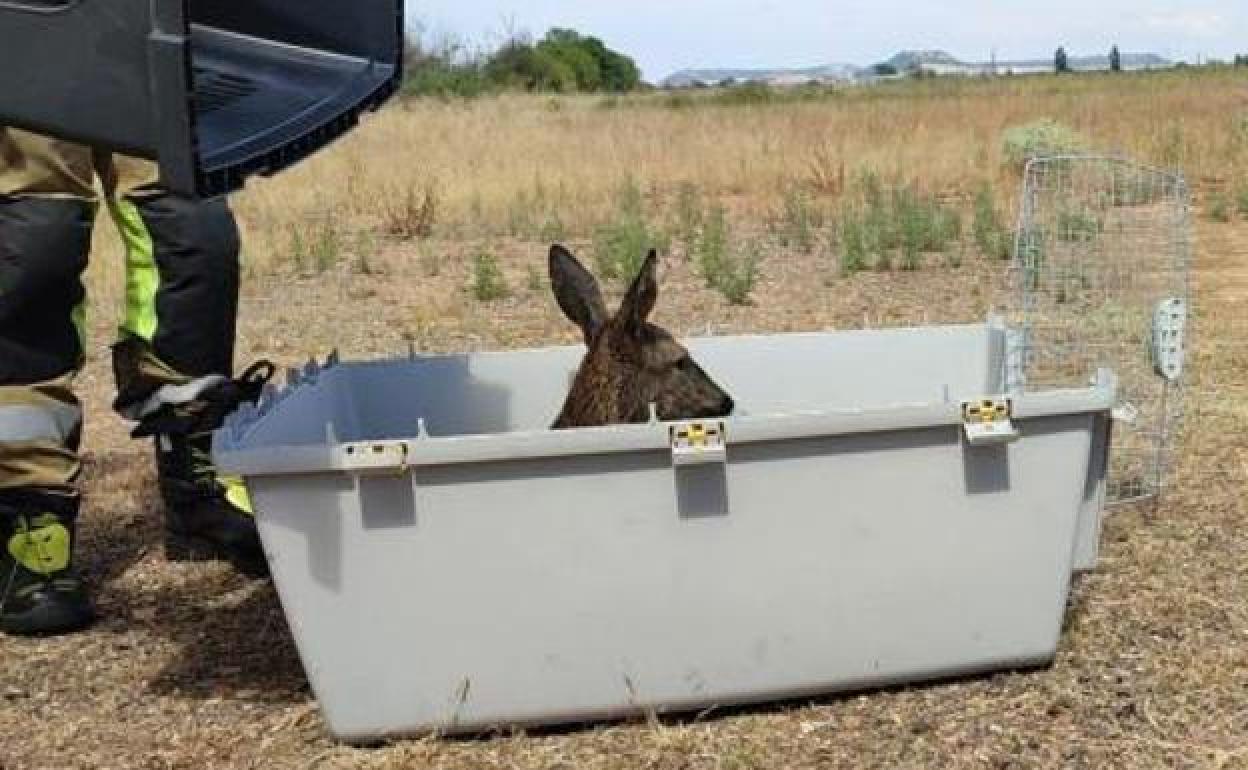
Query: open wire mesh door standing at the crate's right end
[[1103, 278]]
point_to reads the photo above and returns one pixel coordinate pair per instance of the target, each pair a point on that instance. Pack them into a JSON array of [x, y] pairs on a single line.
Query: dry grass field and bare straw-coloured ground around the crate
[[429, 228]]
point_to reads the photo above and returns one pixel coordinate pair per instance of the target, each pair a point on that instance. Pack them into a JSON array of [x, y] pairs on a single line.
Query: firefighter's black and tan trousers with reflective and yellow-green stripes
[[182, 296]]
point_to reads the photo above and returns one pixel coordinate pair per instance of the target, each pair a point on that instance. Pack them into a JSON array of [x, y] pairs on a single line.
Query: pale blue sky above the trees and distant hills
[[671, 36]]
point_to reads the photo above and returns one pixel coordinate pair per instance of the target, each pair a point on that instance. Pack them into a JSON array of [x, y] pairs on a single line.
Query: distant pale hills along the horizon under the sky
[[932, 62]]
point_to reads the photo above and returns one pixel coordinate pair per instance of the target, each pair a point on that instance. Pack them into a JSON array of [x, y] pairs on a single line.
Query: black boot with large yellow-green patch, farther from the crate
[[41, 596]]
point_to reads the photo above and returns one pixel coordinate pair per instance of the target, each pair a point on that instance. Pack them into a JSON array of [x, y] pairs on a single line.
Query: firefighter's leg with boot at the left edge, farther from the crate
[[46, 233]]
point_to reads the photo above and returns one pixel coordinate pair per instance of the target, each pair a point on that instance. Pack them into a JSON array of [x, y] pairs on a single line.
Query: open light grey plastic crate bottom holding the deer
[[449, 565]]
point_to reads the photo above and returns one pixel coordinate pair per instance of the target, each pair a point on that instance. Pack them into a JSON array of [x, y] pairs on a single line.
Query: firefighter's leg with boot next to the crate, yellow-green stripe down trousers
[[174, 360]]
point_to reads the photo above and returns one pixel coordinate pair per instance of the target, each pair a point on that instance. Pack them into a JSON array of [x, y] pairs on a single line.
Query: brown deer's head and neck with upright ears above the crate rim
[[631, 364]]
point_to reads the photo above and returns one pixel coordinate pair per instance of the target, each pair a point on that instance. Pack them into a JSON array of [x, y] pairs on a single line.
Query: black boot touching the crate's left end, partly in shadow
[[207, 516]]
